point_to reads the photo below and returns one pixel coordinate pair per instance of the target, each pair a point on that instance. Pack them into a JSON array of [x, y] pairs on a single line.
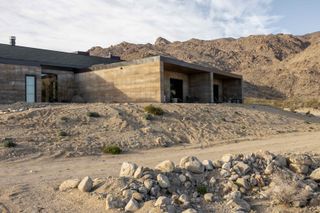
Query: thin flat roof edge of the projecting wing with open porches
[[167, 60]]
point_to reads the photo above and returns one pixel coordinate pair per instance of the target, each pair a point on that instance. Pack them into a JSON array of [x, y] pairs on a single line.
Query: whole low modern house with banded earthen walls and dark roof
[[38, 75]]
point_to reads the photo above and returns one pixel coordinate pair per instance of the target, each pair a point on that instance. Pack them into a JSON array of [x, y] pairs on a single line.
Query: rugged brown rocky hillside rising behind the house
[[273, 66]]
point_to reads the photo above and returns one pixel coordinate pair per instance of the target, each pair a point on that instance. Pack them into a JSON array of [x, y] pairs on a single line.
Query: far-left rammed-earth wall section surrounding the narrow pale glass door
[[12, 82]]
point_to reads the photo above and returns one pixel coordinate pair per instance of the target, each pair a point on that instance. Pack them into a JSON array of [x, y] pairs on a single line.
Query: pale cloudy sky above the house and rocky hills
[[71, 25]]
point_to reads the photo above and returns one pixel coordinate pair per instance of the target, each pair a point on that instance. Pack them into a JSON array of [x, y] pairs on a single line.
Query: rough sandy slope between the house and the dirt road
[[37, 129]]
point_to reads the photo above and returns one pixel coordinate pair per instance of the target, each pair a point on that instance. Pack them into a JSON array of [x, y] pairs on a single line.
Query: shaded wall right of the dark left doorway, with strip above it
[[65, 84]]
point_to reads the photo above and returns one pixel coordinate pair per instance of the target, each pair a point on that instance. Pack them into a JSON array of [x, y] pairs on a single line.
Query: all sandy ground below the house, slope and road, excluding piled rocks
[[31, 172]]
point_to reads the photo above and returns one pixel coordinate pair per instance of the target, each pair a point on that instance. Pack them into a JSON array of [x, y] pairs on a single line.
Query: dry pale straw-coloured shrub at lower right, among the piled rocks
[[285, 191]]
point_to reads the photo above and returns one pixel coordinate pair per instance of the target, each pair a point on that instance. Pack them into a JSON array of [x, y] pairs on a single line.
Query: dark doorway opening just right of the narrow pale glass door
[[49, 88]]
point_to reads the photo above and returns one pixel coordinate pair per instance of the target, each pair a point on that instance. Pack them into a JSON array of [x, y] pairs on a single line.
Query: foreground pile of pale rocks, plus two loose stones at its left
[[195, 186]]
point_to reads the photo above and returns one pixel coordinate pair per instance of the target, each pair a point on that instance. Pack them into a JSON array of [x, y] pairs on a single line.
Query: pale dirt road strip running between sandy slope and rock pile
[[60, 169]]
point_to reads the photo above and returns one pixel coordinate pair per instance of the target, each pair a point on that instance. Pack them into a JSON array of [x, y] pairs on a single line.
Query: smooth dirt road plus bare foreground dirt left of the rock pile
[[31, 185]]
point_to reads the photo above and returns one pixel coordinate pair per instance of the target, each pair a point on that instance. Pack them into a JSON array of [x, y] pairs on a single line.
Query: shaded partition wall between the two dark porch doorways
[[200, 86]]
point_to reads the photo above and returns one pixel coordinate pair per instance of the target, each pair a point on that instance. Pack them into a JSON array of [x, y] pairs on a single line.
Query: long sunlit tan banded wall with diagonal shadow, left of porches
[[132, 83]]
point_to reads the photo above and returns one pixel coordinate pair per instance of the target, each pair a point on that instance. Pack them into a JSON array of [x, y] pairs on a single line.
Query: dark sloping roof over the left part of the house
[[41, 57]]
